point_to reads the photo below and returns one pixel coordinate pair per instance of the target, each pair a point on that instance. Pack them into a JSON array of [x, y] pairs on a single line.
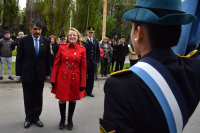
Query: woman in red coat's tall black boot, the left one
[[63, 115]]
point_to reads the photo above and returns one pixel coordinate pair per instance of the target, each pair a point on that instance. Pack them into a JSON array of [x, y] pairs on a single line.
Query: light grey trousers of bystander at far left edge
[[9, 64]]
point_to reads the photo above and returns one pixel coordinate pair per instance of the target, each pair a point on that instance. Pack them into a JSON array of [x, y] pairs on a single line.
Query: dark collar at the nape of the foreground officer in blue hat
[[160, 53]]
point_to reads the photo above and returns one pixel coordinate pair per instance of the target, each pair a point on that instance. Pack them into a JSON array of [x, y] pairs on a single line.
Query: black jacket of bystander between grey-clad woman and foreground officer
[[121, 51]]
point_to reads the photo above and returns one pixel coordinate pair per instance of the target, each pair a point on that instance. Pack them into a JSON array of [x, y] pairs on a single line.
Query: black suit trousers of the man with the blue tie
[[33, 97]]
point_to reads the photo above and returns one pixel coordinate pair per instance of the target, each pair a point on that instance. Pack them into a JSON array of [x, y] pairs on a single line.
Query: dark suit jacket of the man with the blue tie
[[30, 67]]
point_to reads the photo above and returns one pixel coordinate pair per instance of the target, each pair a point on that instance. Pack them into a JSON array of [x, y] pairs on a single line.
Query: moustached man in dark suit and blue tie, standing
[[33, 68]]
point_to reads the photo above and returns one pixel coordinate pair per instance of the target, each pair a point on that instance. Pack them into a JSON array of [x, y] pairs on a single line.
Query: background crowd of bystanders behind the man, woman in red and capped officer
[[111, 52]]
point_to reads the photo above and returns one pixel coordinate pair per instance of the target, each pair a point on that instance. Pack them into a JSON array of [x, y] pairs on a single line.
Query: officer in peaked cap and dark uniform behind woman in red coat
[[93, 56]]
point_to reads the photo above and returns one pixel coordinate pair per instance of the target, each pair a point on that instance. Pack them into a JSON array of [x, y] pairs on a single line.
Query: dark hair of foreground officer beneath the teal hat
[[161, 35]]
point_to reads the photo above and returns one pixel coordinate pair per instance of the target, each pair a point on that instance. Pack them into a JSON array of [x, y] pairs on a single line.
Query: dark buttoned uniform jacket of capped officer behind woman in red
[[92, 53]]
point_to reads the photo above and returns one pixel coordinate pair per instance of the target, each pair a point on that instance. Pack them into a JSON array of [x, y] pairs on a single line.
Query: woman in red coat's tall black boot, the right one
[[70, 114]]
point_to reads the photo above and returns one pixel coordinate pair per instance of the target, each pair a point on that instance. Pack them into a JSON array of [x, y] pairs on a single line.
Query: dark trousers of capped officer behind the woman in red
[[90, 80]]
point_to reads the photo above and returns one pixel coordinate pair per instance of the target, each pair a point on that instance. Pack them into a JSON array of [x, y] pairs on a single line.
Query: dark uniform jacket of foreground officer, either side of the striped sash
[[131, 107]]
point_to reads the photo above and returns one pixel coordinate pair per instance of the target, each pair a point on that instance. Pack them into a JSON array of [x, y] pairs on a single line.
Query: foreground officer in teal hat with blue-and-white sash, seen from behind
[[160, 92]]
